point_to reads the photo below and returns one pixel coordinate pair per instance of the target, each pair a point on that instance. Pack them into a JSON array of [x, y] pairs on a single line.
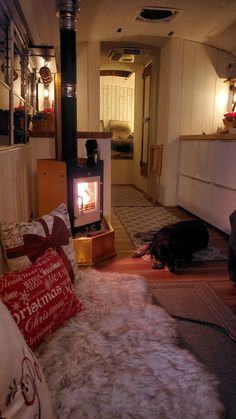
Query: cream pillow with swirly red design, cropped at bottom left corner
[[23, 390]]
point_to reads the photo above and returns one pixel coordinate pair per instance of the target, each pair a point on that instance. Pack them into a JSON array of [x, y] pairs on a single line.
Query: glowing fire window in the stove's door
[[86, 193]]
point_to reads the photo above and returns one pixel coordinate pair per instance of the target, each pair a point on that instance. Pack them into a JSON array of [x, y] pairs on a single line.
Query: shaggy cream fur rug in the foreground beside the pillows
[[120, 359]]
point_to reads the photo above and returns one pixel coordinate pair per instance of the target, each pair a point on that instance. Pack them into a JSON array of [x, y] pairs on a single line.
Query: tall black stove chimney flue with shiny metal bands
[[67, 11]]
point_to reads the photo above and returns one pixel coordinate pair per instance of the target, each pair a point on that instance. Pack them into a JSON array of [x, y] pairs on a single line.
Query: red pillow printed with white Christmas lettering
[[40, 298]]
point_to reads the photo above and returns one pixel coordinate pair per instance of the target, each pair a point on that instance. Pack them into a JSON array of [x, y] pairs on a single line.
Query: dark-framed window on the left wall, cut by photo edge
[[16, 99]]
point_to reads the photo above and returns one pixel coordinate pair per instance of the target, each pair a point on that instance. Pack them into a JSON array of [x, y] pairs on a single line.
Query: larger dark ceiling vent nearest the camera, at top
[[157, 14]]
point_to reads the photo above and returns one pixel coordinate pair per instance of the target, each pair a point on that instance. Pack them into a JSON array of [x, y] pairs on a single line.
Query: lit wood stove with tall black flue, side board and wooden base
[[76, 181]]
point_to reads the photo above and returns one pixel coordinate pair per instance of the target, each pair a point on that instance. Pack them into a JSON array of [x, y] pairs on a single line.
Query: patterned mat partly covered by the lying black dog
[[141, 223]]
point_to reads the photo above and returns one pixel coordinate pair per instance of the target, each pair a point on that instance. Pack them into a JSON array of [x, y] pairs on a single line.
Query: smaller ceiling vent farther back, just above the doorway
[[127, 54]]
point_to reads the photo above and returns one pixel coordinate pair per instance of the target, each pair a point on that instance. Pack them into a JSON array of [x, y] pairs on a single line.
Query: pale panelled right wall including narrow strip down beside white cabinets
[[193, 99]]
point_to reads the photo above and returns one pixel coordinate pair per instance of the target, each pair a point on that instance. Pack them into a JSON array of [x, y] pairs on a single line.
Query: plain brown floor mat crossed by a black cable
[[197, 300]]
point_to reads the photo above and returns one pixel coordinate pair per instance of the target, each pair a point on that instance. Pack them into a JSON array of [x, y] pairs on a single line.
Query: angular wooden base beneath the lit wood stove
[[91, 250]]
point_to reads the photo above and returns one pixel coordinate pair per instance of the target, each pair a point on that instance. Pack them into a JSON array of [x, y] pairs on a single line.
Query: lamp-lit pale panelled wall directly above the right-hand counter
[[204, 96]]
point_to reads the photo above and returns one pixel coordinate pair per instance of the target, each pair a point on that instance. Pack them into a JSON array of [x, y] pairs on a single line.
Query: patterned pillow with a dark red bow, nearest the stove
[[23, 243]]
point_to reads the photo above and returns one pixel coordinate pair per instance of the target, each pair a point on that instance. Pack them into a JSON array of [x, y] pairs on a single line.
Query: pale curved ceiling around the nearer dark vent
[[212, 22]]
